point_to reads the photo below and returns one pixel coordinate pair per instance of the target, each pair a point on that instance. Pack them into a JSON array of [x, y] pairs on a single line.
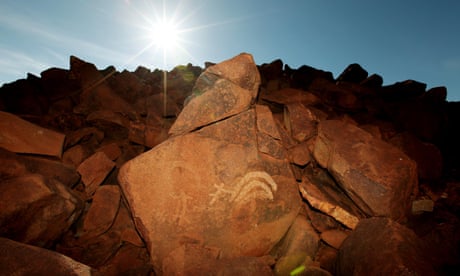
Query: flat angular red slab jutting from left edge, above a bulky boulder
[[18, 135]]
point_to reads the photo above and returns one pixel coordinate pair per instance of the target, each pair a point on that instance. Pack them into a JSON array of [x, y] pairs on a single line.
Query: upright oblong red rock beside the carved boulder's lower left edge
[[103, 210]]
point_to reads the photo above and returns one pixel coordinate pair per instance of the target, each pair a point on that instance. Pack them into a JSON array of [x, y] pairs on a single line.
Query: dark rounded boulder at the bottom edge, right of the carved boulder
[[388, 248]]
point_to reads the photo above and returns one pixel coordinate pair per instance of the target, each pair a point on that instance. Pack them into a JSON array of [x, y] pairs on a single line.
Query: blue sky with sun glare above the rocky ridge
[[397, 39]]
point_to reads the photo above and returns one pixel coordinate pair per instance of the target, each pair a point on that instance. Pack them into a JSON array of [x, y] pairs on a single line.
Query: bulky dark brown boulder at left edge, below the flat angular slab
[[46, 207]]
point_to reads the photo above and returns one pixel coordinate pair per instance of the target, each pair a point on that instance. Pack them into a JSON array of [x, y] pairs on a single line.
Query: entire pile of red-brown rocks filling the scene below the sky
[[240, 169]]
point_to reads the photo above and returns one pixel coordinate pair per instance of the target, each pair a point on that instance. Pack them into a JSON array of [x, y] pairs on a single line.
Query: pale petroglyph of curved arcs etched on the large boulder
[[253, 185]]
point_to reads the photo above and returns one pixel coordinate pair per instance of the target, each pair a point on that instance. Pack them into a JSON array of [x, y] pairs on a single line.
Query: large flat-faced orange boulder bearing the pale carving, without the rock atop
[[211, 188]]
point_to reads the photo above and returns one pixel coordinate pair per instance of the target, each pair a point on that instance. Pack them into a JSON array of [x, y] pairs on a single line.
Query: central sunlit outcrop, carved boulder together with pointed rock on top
[[214, 187]]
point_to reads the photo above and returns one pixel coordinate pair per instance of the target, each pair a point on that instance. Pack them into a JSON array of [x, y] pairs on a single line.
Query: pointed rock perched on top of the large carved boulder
[[223, 90]]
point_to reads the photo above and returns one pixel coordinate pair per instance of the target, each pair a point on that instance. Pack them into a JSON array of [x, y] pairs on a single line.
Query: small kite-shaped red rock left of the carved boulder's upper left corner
[[94, 170]]
